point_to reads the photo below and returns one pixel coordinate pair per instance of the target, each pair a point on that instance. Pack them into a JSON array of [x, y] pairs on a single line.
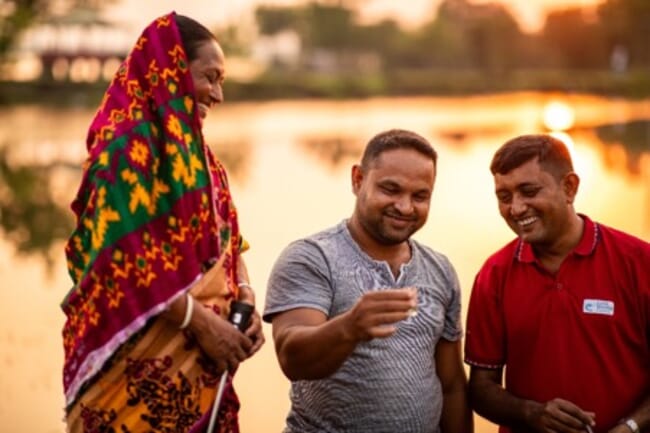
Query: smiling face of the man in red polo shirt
[[535, 204]]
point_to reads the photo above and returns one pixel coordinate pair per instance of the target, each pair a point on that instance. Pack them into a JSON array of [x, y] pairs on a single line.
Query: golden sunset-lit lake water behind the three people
[[289, 164]]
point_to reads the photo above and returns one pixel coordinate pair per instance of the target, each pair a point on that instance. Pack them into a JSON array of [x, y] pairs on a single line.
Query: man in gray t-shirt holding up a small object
[[366, 321]]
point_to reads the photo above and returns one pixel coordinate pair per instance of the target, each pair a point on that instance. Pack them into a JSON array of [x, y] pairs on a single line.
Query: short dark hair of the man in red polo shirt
[[551, 153]]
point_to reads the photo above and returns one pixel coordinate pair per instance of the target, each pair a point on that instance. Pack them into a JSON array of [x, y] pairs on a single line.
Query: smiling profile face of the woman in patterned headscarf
[[208, 73]]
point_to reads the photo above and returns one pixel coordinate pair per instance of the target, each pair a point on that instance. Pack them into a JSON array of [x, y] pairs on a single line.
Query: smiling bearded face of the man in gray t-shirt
[[393, 195]]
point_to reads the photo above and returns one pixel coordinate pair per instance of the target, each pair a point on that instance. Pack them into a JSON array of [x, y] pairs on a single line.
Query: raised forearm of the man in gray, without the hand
[[309, 352]]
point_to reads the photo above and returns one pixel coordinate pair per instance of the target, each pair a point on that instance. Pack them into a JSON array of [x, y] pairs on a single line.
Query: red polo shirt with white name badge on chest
[[582, 334]]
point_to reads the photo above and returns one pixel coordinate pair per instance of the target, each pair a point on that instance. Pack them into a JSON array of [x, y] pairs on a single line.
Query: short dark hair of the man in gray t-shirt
[[396, 139]]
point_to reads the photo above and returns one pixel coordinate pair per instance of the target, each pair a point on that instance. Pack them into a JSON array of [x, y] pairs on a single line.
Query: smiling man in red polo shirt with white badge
[[565, 307]]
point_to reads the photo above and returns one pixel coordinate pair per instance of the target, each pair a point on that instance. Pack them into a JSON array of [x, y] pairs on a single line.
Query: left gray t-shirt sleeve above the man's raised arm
[[300, 278]]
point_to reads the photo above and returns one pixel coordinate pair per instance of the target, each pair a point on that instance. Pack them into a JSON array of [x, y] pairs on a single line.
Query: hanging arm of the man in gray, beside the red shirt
[[456, 414]]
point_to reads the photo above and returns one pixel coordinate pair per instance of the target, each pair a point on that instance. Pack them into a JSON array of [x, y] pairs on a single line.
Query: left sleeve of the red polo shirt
[[485, 332]]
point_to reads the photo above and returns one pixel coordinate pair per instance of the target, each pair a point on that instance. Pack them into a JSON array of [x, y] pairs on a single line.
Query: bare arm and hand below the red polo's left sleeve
[[490, 400]]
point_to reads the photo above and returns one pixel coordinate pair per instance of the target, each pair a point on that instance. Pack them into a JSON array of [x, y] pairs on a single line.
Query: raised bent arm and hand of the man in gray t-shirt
[[309, 346]]
